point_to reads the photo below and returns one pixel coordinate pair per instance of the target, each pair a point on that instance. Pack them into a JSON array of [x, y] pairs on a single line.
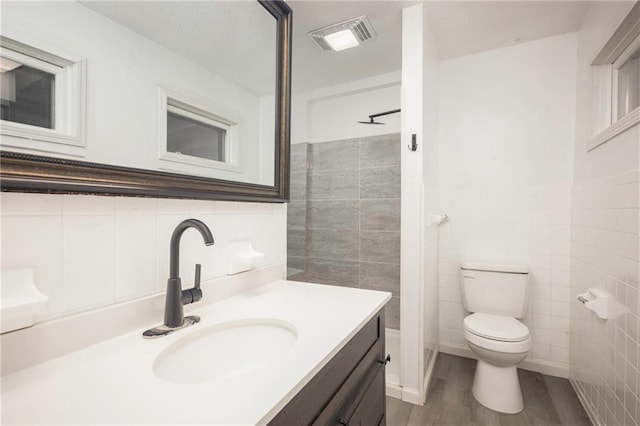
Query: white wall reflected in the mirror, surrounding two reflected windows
[[124, 72]]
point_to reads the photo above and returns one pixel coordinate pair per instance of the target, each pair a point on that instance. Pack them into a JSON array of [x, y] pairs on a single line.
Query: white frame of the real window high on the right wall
[[605, 124]]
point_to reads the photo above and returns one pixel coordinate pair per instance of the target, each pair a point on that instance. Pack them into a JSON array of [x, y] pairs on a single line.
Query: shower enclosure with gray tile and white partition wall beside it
[[358, 203]]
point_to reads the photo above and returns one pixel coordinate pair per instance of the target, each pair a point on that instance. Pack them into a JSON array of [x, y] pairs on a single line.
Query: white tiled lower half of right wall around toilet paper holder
[[604, 354]]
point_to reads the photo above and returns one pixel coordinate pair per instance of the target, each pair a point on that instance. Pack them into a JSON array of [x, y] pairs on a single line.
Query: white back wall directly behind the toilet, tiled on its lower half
[[505, 173]]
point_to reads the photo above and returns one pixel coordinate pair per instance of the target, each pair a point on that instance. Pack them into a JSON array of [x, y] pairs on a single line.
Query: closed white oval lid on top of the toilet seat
[[496, 327]]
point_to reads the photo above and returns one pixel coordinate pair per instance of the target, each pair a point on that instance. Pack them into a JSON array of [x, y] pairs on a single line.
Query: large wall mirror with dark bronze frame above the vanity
[[186, 99]]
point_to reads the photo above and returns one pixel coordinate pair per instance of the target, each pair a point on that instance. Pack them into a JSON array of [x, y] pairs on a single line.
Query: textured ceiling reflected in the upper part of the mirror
[[235, 39]]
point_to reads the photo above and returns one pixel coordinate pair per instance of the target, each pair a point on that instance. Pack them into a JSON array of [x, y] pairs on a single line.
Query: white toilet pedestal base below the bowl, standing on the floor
[[498, 387]]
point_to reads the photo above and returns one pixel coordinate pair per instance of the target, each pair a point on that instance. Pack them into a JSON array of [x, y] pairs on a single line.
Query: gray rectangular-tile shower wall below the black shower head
[[344, 215]]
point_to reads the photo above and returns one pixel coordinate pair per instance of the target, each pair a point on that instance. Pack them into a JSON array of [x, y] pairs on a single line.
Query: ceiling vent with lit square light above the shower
[[344, 35]]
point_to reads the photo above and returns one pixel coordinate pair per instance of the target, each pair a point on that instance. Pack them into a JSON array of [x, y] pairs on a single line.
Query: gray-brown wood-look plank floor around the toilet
[[547, 400]]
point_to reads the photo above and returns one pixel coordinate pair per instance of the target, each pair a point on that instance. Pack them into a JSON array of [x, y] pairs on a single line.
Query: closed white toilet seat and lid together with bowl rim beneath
[[497, 333]]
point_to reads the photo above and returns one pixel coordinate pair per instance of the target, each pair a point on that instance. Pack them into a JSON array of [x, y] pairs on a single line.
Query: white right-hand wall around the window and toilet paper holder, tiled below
[[605, 247]]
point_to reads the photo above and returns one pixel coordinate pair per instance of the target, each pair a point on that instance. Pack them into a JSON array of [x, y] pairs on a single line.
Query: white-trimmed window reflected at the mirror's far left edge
[[42, 96]]
